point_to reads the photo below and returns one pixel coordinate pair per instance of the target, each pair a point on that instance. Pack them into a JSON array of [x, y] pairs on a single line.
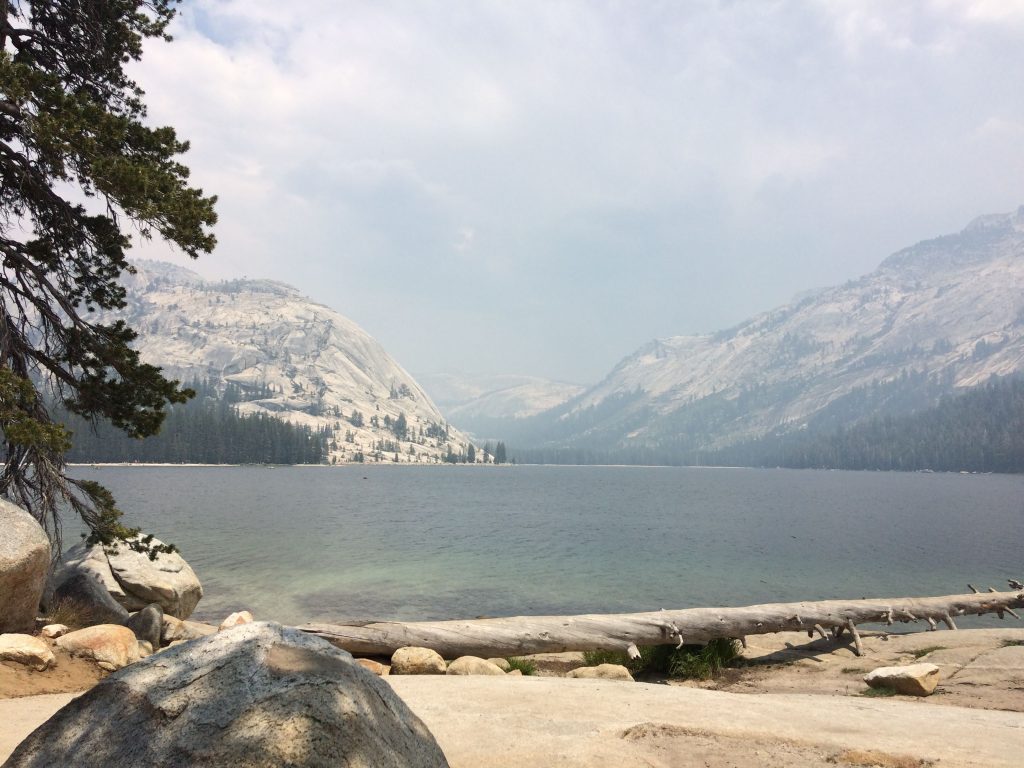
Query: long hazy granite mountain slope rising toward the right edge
[[938, 318]]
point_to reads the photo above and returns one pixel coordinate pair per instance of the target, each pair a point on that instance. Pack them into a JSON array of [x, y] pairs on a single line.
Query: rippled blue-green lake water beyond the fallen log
[[298, 544]]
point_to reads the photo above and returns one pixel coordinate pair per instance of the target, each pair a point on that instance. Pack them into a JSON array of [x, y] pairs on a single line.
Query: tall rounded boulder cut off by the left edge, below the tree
[[25, 560]]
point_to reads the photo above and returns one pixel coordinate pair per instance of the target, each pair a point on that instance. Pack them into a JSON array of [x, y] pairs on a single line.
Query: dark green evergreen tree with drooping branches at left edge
[[79, 170]]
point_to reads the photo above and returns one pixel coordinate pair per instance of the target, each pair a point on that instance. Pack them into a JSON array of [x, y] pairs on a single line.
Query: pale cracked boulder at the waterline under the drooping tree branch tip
[[134, 580]]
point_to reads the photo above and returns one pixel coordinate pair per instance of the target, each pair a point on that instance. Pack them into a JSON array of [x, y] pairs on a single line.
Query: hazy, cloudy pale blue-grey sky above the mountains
[[540, 188]]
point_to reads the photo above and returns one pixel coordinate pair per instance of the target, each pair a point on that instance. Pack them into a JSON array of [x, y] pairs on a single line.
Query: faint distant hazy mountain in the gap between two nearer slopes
[[489, 406]]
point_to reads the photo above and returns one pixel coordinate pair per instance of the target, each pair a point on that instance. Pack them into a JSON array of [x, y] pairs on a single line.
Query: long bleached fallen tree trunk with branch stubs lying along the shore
[[524, 635]]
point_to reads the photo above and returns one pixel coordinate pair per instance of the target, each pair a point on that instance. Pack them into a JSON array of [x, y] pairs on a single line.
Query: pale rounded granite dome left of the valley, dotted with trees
[[290, 358]]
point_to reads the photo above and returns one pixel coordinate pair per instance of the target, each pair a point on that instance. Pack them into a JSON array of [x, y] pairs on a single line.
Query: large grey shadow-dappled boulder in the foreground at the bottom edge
[[258, 697]]
